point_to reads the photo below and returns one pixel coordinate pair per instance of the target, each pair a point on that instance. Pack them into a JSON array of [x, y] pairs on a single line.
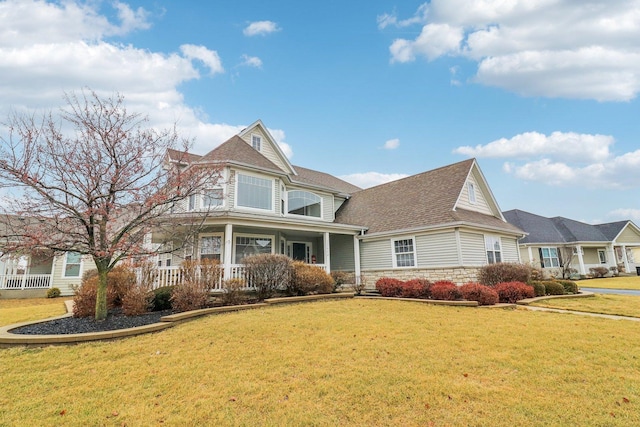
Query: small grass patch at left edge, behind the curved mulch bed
[[23, 310]]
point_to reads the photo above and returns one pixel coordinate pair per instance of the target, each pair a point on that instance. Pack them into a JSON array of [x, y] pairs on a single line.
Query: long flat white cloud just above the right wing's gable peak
[[563, 145]]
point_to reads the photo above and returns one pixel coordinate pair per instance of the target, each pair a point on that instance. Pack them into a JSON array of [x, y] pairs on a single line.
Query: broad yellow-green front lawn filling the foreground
[[348, 362]]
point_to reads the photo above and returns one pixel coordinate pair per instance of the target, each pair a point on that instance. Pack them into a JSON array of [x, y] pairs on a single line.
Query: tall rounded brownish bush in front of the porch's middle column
[[267, 272]]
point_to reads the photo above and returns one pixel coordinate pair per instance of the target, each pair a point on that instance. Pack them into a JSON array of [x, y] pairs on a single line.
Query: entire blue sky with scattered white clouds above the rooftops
[[544, 94]]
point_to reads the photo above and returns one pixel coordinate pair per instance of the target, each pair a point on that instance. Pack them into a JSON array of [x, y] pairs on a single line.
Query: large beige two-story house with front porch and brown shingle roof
[[441, 224]]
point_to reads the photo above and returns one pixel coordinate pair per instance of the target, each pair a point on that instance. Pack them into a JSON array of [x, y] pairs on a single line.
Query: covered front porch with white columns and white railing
[[328, 247]]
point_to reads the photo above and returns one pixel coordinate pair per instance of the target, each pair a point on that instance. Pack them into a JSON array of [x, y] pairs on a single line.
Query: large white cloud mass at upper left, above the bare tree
[[48, 48]]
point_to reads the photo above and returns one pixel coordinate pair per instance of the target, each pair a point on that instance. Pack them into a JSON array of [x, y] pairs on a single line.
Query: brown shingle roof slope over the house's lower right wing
[[418, 201]]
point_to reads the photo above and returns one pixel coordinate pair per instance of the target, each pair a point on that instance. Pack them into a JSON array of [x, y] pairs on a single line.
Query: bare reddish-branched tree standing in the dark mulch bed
[[96, 182]]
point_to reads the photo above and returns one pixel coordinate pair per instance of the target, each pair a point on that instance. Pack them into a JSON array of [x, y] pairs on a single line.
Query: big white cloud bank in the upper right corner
[[553, 48]]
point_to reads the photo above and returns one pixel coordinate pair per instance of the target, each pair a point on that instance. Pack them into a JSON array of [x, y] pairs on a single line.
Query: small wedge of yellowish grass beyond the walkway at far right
[[623, 305]]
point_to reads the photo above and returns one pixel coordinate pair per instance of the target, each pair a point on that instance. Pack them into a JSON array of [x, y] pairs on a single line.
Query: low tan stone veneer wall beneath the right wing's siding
[[458, 275]]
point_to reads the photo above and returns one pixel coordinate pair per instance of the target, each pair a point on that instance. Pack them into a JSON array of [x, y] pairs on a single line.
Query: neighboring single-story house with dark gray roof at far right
[[551, 243]]
